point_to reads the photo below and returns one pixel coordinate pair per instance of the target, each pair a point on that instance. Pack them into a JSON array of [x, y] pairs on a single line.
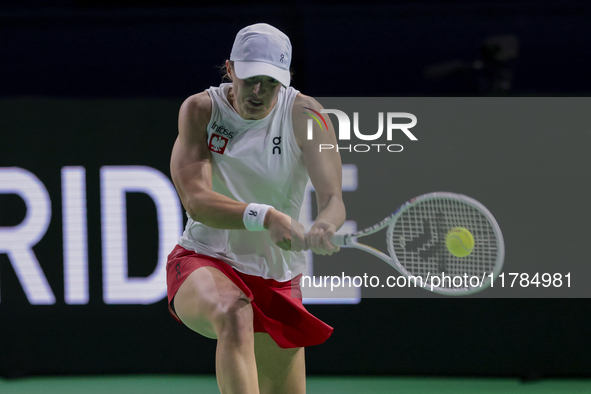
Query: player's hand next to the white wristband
[[284, 231]]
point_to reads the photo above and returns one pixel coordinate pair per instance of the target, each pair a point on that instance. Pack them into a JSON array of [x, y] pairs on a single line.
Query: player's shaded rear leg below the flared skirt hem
[[279, 370]]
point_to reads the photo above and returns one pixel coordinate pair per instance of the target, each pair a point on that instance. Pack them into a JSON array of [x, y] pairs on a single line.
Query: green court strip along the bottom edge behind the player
[[325, 385]]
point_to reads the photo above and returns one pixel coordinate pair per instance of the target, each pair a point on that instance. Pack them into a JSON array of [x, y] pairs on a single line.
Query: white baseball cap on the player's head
[[262, 49]]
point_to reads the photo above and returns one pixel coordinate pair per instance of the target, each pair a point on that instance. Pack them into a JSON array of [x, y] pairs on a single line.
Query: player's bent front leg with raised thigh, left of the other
[[209, 303]]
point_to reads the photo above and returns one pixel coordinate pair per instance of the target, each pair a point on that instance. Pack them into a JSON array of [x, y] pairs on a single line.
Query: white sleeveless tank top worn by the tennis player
[[253, 161]]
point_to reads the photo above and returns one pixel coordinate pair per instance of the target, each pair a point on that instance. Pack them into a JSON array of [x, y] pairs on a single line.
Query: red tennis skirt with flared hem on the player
[[277, 306]]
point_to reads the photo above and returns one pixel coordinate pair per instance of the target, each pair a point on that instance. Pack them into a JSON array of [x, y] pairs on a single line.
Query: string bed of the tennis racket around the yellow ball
[[417, 239]]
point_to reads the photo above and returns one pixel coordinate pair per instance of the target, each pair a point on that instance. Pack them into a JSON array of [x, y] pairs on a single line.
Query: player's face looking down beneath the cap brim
[[254, 98]]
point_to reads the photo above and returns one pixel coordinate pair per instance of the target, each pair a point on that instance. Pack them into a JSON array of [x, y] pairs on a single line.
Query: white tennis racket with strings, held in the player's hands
[[416, 234]]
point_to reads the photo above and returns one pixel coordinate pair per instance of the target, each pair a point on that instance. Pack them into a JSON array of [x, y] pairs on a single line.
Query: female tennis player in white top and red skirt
[[240, 164]]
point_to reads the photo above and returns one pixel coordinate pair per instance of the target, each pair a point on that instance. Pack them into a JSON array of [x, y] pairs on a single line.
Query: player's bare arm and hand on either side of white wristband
[[191, 170]]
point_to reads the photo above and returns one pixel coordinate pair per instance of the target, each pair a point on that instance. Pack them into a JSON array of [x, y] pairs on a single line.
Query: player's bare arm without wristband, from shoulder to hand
[[325, 172]]
